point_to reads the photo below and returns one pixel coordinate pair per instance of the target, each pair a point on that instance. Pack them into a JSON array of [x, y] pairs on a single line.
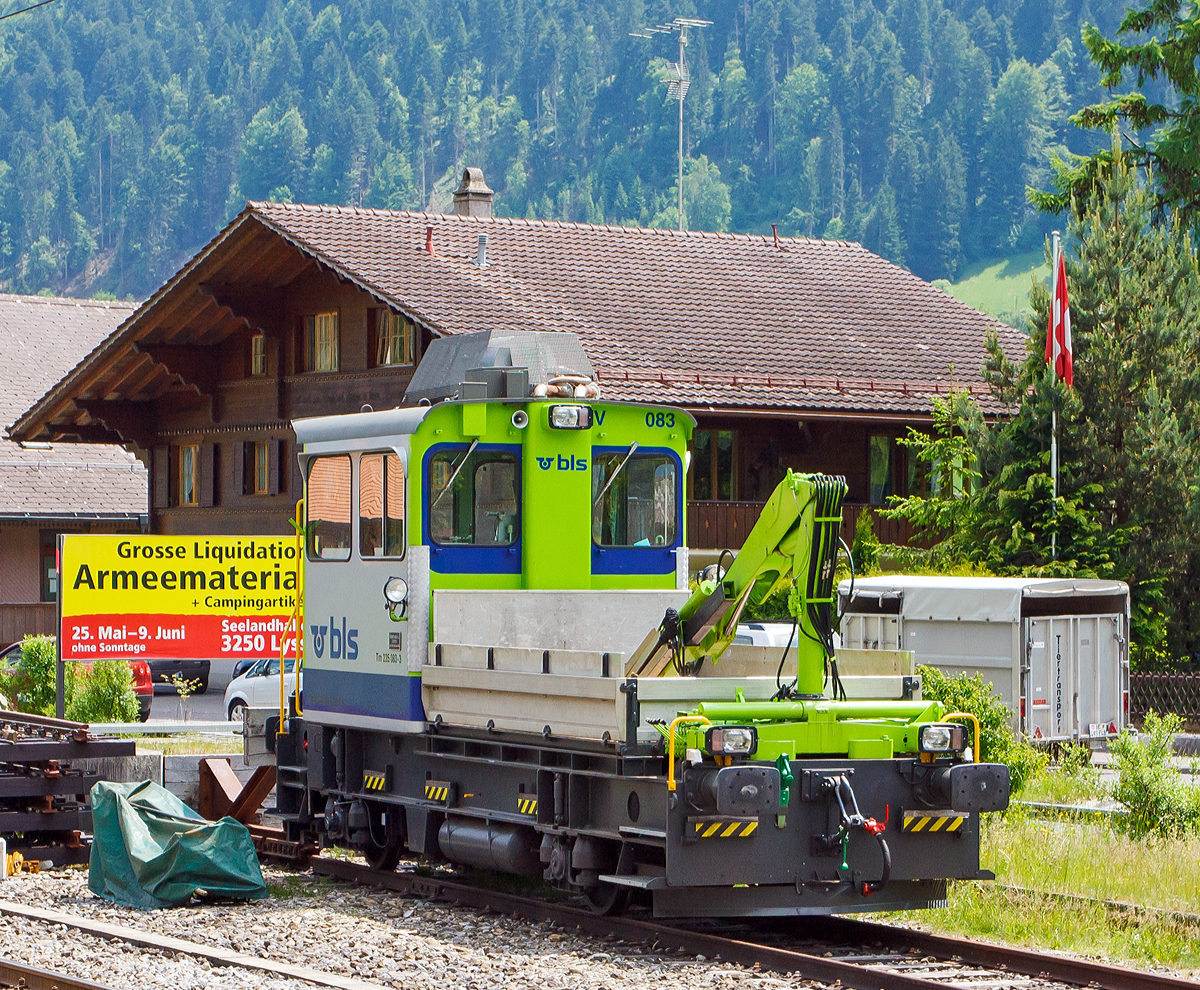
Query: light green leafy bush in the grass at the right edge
[[1160, 803]]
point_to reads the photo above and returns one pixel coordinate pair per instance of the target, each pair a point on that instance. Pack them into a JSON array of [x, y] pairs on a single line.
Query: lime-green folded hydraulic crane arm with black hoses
[[794, 547]]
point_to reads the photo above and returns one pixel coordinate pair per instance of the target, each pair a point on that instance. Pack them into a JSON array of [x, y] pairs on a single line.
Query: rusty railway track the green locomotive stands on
[[863, 956]]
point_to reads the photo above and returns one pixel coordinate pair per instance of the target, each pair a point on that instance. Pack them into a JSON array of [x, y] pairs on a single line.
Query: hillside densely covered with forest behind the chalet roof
[[131, 131]]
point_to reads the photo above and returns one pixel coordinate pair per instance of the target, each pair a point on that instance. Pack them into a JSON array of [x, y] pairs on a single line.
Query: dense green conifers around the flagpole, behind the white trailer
[[1129, 434]]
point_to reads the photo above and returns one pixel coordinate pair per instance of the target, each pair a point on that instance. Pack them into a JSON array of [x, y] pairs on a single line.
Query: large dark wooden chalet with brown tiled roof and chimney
[[790, 352]]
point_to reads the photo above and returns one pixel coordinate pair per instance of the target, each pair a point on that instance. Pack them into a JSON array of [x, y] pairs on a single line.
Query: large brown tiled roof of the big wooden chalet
[[693, 319]]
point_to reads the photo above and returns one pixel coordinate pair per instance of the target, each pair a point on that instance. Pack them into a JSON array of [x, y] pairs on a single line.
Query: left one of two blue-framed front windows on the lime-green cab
[[475, 499]]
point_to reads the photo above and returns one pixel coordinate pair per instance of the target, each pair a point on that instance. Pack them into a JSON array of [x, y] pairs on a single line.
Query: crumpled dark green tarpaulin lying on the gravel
[[151, 850]]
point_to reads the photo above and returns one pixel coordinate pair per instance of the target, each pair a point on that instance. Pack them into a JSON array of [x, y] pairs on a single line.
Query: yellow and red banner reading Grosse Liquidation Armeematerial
[[176, 597]]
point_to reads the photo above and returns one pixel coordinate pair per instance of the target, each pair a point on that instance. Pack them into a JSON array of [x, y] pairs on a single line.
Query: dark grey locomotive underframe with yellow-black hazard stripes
[[598, 815]]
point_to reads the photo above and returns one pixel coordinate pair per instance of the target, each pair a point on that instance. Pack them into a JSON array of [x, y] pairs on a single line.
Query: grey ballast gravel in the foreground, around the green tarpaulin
[[371, 935]]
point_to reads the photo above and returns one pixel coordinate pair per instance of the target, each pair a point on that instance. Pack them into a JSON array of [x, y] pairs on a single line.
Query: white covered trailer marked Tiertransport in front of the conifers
[[1057, 651]]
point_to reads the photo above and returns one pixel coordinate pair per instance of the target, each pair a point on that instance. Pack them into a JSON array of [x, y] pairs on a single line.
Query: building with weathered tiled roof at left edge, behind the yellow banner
[[49, 488]]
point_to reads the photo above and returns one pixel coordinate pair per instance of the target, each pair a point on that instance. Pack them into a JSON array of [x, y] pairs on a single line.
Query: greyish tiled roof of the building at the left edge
[[41, 339]]
